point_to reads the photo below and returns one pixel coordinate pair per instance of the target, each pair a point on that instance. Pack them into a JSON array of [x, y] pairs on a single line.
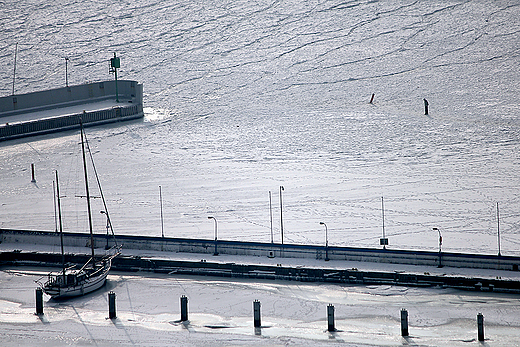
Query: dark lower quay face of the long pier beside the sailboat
[[269, 272]]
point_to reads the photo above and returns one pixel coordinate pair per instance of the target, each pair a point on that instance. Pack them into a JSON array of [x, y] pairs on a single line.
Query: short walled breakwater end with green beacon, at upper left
[[26, 114]]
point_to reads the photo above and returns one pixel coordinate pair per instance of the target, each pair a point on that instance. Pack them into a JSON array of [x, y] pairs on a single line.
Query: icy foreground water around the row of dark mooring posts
[[220, 313]]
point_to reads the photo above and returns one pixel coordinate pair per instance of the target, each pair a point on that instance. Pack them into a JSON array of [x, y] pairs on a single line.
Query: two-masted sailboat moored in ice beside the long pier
[[70, 282]]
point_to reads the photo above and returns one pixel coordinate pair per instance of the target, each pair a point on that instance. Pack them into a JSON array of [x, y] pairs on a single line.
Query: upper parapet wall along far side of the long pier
[[271, 250]]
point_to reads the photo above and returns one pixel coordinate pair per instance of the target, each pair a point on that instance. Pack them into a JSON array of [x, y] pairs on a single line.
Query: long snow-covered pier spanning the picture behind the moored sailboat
[[276, 269]]
